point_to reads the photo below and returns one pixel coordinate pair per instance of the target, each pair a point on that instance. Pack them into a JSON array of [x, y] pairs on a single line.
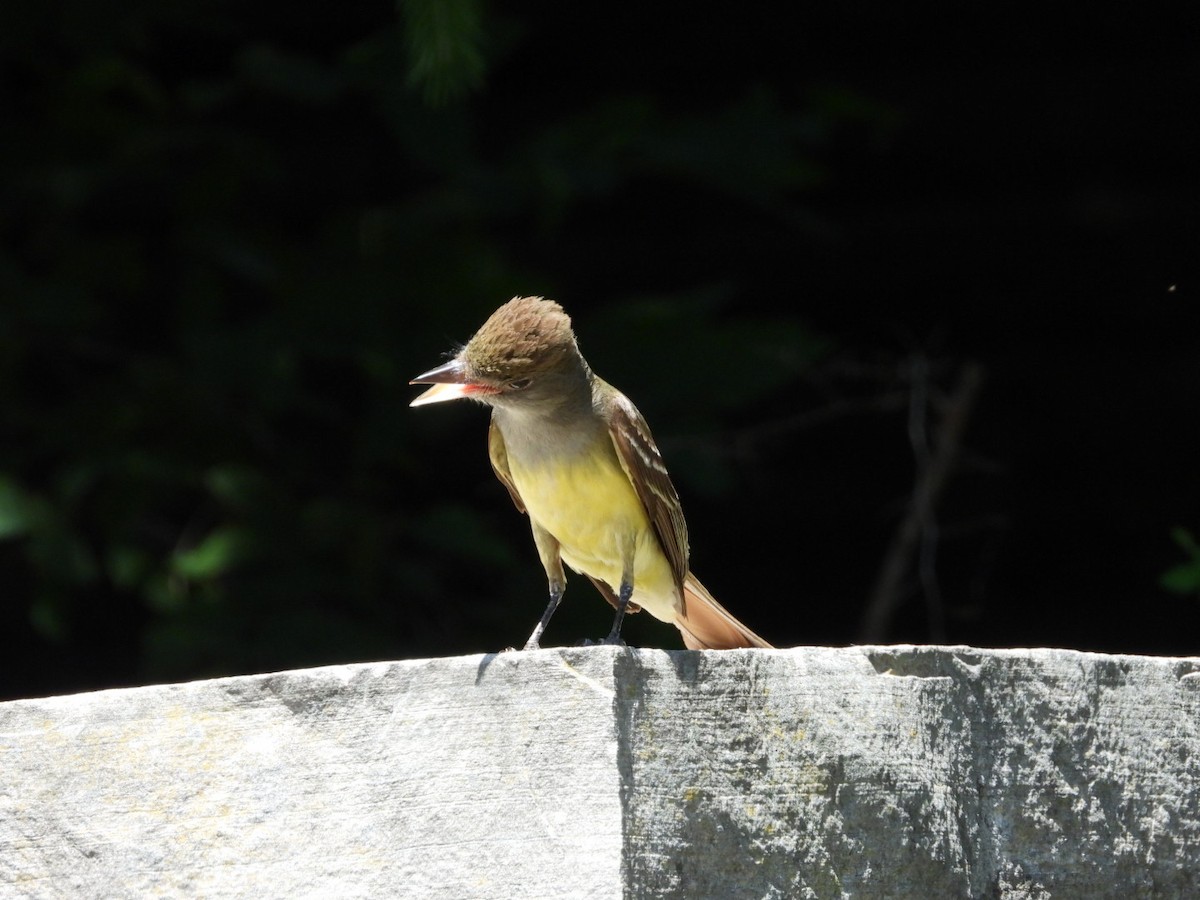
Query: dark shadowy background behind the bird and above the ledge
[[231, 233]]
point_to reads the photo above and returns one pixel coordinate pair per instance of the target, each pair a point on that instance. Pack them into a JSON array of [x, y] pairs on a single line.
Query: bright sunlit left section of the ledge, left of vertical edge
[[446, 778]]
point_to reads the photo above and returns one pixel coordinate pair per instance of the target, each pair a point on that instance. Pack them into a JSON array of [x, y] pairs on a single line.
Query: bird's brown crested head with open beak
[[523, 357]]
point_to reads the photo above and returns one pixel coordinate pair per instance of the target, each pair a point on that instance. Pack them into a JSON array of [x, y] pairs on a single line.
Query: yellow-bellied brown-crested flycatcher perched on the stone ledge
[[579, 458]]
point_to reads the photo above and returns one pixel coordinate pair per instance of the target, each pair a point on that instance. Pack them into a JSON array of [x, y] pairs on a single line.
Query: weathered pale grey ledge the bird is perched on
[[867, 772]]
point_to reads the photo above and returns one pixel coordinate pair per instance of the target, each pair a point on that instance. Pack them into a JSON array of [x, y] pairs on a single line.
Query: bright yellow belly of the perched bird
[[592, 509]]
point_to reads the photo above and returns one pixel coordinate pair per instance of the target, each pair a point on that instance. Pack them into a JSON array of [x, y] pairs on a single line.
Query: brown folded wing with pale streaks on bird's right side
[[644, 465]]
